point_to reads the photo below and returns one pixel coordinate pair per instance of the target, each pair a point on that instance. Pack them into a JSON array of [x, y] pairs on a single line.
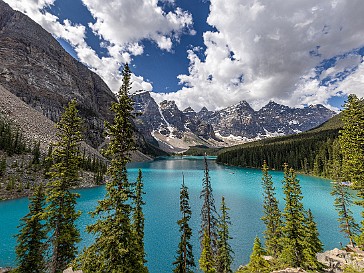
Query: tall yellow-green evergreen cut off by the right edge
[[352, 144]]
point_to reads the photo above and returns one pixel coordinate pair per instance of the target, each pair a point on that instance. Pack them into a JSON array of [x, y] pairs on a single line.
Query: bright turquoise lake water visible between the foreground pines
[[162, 181]]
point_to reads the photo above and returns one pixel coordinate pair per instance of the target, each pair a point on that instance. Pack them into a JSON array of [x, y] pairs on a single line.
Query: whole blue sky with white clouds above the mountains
[[216, 53]]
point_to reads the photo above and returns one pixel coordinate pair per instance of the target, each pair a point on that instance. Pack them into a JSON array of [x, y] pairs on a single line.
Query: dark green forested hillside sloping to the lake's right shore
[[311, 152]]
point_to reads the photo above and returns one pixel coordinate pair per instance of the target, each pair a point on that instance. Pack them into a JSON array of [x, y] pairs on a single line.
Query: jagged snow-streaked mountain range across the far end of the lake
[[175, 130]]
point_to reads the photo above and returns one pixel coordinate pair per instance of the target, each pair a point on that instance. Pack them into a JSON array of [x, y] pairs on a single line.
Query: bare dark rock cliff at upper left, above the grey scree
[[36, 68]]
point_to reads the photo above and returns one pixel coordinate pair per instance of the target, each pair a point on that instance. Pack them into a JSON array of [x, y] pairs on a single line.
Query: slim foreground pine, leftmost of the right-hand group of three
[[272, 215]]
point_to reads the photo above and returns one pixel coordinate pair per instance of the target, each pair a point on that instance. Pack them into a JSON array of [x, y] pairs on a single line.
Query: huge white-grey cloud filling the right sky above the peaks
[[268, 49]]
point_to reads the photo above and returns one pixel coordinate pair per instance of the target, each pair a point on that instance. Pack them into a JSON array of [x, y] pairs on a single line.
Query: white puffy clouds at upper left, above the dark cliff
[[120, 25]]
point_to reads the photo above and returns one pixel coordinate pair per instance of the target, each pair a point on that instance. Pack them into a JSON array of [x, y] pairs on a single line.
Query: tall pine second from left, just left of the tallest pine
[[61, 213]]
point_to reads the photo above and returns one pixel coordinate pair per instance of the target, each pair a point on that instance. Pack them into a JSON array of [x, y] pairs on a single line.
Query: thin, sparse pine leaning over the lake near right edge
[[343, 201]]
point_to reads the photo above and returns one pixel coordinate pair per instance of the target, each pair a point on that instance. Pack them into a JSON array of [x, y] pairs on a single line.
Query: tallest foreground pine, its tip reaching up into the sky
[[115, 249]]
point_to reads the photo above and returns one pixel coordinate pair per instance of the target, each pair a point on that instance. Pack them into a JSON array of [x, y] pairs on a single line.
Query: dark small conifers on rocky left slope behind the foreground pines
[[23, 165]]
